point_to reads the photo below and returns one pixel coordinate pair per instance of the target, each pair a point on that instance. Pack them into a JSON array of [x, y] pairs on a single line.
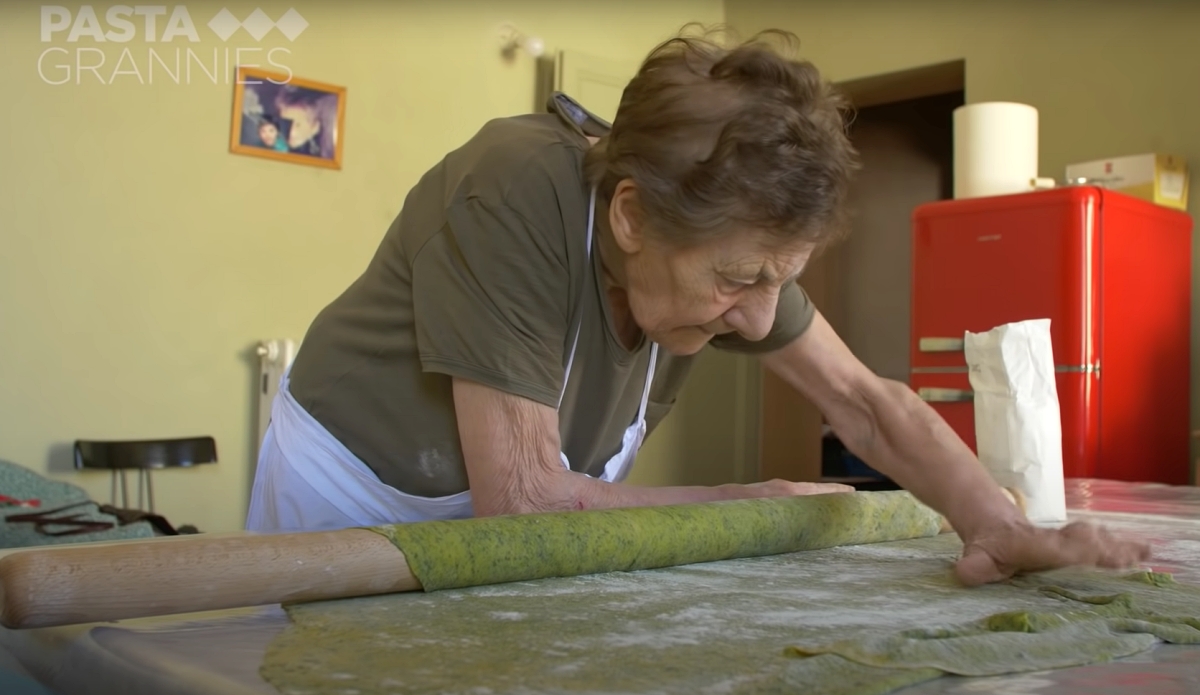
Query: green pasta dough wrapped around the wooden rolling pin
[[485, 552]]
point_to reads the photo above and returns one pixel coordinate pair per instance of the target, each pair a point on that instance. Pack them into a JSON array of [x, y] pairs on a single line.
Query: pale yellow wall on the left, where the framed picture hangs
[[141, 262]]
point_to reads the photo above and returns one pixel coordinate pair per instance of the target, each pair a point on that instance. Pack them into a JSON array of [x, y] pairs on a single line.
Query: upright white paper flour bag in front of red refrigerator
[[1018, 427]]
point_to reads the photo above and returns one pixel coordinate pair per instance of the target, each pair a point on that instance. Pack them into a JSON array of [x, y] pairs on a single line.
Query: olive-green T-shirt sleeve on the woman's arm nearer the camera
[[490, 296]]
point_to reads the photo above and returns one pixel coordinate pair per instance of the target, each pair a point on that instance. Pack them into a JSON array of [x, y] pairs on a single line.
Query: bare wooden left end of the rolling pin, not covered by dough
[[73, 585]]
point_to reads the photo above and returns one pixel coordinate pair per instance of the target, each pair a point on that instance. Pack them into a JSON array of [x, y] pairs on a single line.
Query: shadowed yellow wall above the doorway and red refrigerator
[[1108, 79]]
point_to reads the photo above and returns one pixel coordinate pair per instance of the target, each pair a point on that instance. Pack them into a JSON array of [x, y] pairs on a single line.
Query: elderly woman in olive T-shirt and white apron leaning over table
[[537, 305]]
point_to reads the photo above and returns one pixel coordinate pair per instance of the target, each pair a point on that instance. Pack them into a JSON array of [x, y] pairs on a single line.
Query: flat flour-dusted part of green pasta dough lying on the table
[[719, 628]]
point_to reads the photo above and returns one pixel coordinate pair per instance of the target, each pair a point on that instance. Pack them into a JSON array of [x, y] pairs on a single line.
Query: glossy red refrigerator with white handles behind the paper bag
[[1113, 274]]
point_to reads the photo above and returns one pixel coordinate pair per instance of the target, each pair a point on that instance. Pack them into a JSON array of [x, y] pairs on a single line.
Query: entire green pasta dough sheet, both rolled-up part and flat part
[[659, 602]]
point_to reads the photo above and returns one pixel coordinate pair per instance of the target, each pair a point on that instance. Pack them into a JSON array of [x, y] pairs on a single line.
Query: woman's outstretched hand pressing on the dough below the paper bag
[[1000, 552]]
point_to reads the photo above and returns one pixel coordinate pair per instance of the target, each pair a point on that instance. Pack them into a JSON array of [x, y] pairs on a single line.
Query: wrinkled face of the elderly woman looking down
[[683, 296]]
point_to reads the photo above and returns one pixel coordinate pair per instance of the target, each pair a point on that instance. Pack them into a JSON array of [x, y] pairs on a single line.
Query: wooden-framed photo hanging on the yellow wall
[[286, 118]]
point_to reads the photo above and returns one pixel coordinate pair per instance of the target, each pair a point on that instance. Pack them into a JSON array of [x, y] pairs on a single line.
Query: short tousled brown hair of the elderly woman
[[718, 139]]
